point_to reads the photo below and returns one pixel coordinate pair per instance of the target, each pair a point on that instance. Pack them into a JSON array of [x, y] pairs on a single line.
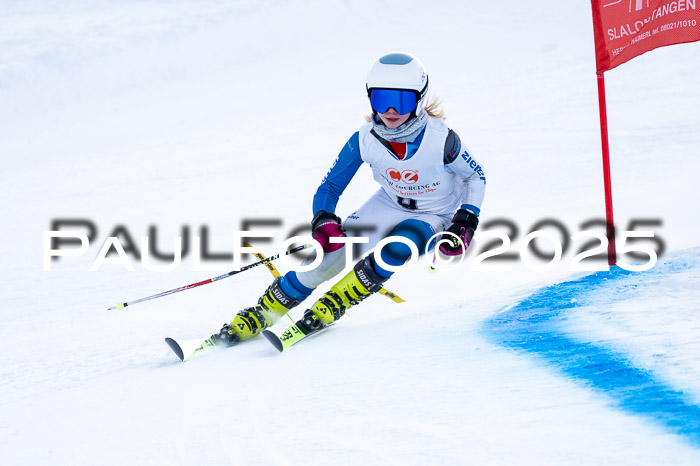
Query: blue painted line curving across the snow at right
[[533, 326]]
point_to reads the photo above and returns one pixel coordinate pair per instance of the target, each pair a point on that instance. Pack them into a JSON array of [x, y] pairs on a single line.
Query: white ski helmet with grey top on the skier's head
[[400, 71]]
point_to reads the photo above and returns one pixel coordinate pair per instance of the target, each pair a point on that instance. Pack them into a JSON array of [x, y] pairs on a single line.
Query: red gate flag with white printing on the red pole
[[624, 29]]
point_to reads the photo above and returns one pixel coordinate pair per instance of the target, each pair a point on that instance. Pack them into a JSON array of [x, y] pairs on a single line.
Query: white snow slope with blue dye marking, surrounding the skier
[[190, 114]]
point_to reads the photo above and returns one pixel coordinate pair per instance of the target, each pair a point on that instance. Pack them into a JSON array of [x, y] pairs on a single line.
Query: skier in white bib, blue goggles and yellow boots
[[429, 183]]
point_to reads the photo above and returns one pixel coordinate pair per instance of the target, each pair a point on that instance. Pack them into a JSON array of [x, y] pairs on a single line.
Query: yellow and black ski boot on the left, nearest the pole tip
[[273, 304]]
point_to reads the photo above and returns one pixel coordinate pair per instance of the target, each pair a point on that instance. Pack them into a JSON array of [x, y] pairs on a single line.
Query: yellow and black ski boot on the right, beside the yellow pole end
[[356, 286]]
